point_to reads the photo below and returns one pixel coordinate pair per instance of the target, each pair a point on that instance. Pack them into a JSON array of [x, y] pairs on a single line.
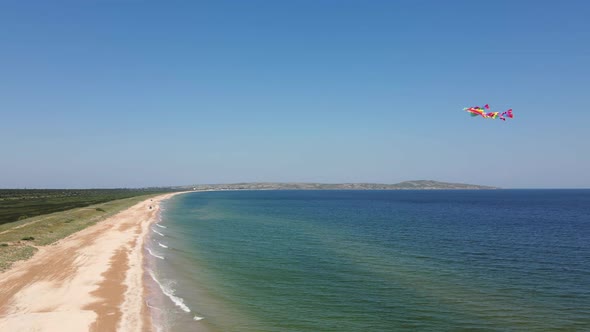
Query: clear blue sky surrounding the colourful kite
[[129, 93]]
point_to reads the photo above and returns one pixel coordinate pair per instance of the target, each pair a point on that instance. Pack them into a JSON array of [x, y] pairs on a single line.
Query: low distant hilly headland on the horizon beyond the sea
[[406, 185]]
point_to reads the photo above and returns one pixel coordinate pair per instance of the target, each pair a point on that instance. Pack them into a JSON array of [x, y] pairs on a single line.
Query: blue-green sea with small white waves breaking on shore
[[400, 260]]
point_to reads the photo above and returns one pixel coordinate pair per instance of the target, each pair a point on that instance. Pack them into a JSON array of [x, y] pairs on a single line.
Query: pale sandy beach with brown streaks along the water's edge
[[89, 281]]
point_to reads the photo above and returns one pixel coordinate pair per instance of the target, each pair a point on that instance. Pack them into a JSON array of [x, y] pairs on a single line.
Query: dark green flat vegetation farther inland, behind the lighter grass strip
[[19, 204]]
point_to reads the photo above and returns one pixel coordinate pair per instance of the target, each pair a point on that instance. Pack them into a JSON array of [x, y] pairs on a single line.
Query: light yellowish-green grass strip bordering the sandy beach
[[18, 240]]
